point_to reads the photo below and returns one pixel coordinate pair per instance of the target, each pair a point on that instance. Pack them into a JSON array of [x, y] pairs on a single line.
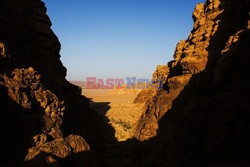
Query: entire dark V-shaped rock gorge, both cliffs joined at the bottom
[[199, 118]]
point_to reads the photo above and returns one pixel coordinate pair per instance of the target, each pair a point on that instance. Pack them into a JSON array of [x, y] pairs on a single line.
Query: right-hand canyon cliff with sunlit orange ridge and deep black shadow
[[199, 118]]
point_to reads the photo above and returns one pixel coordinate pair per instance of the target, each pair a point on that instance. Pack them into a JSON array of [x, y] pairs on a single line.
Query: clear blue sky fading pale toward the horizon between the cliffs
[[118, 38]]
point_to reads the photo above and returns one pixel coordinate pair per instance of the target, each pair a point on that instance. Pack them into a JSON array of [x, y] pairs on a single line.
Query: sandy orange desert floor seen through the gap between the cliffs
[[117, 108]]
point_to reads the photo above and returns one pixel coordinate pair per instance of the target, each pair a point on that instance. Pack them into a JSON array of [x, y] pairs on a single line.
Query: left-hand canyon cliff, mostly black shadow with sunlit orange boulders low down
[[35, 97]]
